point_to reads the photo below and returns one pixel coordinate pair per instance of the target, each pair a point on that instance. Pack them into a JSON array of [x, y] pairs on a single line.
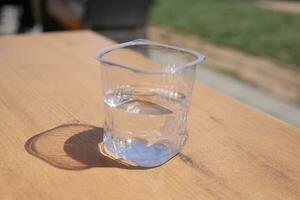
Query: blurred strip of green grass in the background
[[235, 24]]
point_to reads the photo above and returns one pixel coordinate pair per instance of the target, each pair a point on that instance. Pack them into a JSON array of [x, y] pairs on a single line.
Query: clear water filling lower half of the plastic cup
[[145, 126]]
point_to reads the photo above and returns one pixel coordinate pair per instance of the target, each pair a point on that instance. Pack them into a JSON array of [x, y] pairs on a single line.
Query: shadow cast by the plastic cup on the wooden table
[[73, 147]]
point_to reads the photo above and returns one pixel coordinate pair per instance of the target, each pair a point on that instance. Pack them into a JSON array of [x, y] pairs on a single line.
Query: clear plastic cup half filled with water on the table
[[147, 89]]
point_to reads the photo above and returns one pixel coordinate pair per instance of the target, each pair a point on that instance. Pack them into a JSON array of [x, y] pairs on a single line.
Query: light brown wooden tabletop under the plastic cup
[[233, 150]]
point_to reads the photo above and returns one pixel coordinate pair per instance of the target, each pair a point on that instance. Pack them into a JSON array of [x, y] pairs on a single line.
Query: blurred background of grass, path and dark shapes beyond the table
[[252, 47]]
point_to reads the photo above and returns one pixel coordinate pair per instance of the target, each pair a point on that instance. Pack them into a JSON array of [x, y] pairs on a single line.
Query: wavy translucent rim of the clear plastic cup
[[199, 58]]
